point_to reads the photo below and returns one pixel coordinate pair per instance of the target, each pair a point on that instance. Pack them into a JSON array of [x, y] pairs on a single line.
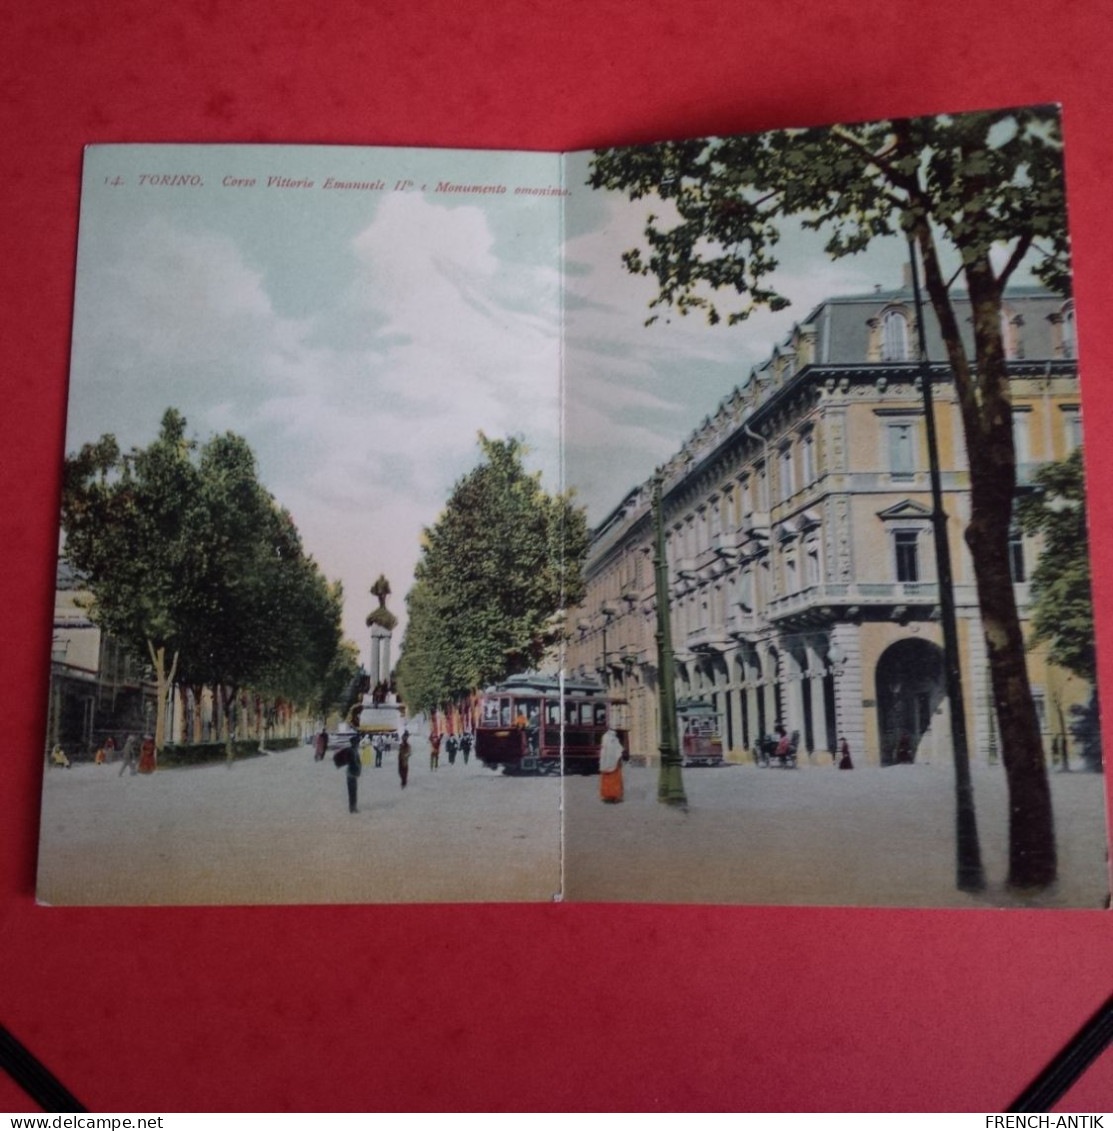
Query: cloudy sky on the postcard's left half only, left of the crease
[[359, 340]]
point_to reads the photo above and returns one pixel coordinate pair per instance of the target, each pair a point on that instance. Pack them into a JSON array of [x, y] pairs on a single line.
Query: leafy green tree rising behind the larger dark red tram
[[496, 569]]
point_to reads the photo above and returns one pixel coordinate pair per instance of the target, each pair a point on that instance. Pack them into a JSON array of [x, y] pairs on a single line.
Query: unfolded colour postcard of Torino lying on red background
[[693, 523]]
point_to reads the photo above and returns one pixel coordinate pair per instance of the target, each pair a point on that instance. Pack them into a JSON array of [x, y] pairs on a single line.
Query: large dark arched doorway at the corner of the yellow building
[[910, 683]]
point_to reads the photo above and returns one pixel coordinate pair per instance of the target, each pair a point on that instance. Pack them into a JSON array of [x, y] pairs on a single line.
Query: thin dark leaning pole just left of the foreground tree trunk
[[970, 876]]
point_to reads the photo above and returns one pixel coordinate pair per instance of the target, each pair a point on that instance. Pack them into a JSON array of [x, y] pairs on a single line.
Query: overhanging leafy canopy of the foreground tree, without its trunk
[[978, 180]]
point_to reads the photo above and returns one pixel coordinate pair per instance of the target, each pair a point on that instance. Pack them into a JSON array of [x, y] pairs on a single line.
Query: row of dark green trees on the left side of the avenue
[[194, 566]]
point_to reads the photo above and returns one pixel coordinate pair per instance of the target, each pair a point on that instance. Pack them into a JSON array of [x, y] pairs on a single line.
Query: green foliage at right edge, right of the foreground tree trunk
[[1063, 603]]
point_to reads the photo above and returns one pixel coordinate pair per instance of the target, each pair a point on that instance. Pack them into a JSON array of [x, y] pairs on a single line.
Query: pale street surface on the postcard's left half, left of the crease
[[278, 831]]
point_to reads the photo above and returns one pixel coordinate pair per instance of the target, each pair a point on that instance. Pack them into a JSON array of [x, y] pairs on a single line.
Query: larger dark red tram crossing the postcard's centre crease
[[523, 722]]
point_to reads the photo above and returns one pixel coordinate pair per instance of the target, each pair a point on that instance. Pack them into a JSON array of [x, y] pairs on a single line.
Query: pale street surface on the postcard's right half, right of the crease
[[881, 838]]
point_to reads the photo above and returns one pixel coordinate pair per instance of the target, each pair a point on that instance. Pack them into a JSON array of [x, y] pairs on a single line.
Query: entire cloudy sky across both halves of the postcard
[[360, 339]]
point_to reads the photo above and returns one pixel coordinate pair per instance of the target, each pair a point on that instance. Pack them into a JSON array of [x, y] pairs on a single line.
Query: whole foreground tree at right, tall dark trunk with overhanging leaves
[[982, 185]]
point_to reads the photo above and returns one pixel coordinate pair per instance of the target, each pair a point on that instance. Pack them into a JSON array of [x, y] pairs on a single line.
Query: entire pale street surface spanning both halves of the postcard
[[277, 830]]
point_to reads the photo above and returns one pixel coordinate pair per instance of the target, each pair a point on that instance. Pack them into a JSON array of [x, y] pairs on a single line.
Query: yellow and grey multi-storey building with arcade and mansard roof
[[801, 559]]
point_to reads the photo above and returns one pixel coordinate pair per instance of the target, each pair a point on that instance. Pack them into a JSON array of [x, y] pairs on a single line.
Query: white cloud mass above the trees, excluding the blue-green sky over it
[[363, 442]]
